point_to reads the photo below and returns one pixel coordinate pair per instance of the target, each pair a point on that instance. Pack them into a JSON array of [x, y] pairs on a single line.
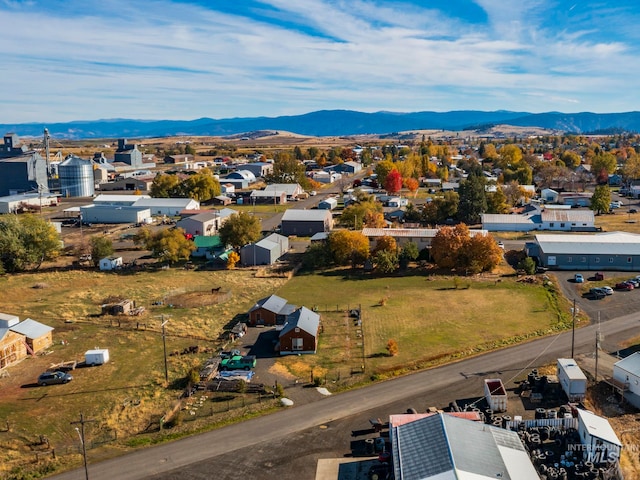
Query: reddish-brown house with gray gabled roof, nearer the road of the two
[[300, 333]]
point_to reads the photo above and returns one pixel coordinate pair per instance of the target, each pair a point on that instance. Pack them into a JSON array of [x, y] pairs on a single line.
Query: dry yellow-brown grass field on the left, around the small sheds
[[128, 393]]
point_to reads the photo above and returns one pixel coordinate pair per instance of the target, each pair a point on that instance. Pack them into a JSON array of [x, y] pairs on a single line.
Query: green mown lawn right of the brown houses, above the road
[[429, 318]]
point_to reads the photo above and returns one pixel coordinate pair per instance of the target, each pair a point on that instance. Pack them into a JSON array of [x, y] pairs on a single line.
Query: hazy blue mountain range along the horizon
[[334, 123]]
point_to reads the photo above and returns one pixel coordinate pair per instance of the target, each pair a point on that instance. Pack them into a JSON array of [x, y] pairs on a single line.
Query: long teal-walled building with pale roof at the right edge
[[602, 251]]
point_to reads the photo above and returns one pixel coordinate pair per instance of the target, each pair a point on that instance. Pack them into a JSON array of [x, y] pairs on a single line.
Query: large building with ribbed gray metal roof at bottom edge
[[442, 446]]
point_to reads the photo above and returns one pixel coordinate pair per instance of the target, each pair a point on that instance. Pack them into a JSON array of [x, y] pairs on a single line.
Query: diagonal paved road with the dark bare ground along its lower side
[[288, 444]]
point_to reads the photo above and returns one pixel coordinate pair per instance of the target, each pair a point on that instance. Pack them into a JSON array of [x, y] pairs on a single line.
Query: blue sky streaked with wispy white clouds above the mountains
[[178, 59]]
